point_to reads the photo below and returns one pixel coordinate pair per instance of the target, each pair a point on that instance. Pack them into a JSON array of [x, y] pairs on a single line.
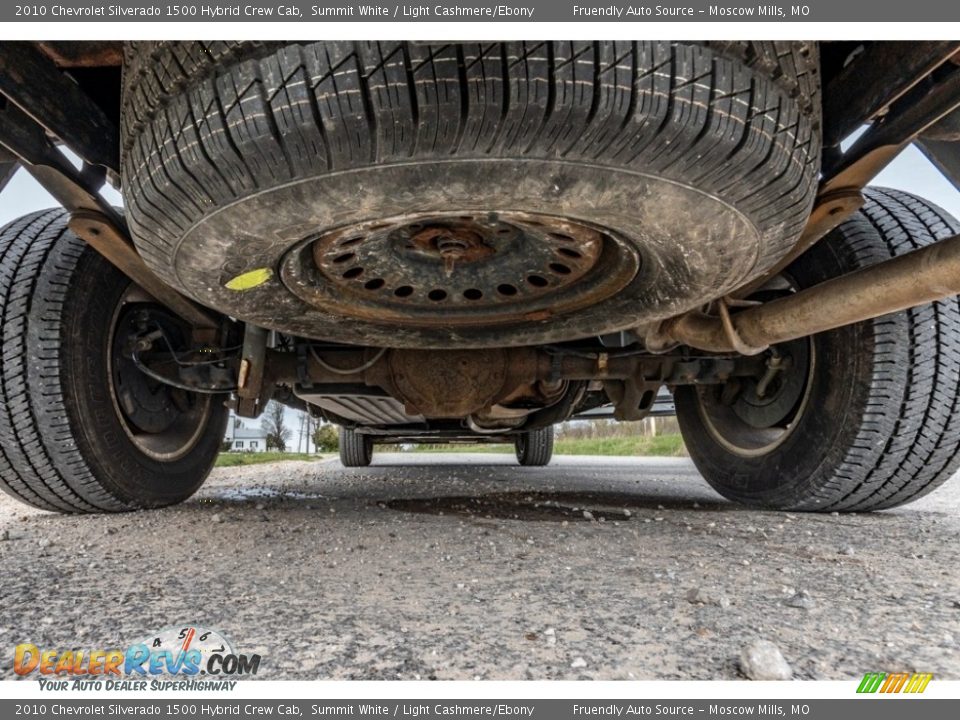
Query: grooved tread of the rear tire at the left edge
[[40, 464]]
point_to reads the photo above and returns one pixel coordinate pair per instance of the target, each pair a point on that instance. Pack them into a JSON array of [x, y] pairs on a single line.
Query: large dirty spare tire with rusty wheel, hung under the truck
[[413, 194]]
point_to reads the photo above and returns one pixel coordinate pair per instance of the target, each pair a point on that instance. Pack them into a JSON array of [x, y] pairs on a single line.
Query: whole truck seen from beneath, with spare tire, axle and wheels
[[472, 242]]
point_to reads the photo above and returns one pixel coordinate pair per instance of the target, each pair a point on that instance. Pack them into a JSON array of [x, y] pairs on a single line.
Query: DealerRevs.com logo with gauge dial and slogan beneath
[[180, 652]]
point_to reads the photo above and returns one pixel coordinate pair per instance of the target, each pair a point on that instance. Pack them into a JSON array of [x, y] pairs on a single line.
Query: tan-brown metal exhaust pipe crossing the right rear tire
[[922, 276]]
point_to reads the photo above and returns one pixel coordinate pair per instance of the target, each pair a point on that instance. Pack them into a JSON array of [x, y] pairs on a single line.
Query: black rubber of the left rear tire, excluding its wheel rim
[[63, 446]]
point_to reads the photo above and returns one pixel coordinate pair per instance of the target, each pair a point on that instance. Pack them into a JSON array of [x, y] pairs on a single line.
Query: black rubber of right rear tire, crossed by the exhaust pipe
[[881, 426]]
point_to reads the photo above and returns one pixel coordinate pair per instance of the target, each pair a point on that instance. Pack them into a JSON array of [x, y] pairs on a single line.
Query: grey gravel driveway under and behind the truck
[[469, 567]]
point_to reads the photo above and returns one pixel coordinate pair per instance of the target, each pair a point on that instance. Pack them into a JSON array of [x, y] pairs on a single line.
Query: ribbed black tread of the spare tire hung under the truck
[[207, 123]]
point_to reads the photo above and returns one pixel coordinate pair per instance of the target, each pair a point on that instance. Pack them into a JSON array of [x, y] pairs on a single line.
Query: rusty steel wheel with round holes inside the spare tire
[[460, 268]]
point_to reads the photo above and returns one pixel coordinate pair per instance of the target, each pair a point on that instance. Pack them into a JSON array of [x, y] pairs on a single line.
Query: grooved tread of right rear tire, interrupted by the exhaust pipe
[[914, 413]]
